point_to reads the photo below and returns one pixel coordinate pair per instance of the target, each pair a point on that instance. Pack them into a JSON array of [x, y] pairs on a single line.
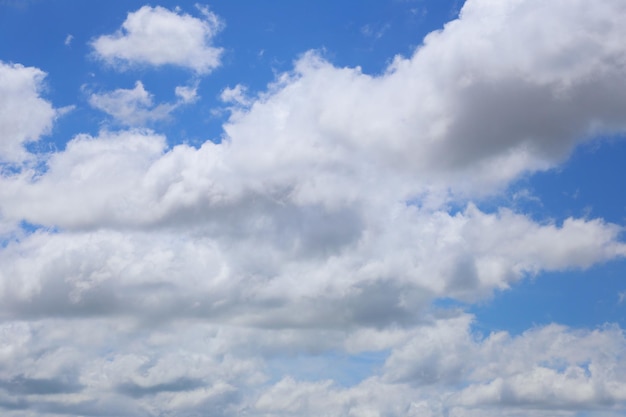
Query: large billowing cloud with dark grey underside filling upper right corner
[[488, 97]]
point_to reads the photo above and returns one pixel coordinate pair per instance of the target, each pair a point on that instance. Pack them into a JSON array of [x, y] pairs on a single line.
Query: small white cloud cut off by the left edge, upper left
[[24, 115]]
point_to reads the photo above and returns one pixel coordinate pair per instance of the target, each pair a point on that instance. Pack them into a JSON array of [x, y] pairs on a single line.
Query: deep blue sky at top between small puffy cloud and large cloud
[[366, 34]]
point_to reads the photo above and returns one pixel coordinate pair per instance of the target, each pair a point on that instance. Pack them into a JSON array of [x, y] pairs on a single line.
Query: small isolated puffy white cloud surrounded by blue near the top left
[[157, 36]]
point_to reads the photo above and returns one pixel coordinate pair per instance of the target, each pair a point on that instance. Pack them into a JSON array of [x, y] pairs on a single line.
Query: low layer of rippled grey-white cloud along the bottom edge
[[188, 367]]
